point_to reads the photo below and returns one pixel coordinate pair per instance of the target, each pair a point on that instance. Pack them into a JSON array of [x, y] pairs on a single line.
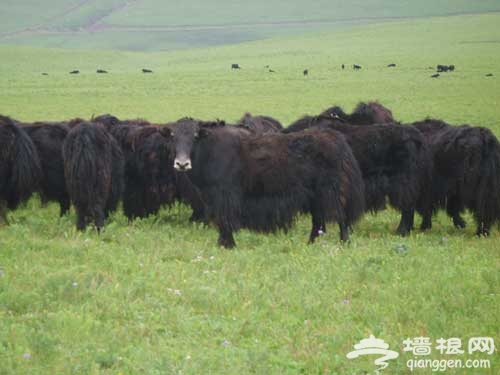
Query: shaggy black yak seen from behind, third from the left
[[93, 168]]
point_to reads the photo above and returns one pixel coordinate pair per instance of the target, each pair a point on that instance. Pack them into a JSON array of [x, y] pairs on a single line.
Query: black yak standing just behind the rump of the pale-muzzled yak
[[394, 159]]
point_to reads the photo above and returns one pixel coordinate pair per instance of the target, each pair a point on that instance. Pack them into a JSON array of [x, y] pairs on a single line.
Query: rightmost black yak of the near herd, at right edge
[[466, 173]]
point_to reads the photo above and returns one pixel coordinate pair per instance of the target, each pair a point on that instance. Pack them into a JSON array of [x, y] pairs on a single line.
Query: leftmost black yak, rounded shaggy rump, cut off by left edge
[[20, 168]]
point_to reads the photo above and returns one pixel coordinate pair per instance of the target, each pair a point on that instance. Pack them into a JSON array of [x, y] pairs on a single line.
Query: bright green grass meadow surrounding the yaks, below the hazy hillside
[[158, 296]]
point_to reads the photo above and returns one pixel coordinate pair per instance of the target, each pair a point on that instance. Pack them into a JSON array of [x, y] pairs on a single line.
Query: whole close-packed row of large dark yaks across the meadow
[[256, 174]]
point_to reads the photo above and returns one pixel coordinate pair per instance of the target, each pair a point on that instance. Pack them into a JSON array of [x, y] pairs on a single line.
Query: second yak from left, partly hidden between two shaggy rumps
[[48, 138]]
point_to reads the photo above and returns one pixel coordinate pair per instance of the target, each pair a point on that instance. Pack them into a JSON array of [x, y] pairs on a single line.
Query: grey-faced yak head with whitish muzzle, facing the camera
[[185, 134]]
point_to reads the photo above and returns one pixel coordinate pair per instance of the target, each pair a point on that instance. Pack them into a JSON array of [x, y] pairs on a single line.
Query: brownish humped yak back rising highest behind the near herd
[[364, 114]]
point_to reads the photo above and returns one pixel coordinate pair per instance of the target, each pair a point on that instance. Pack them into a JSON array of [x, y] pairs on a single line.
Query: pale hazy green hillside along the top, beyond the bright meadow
[[159, 25]]
